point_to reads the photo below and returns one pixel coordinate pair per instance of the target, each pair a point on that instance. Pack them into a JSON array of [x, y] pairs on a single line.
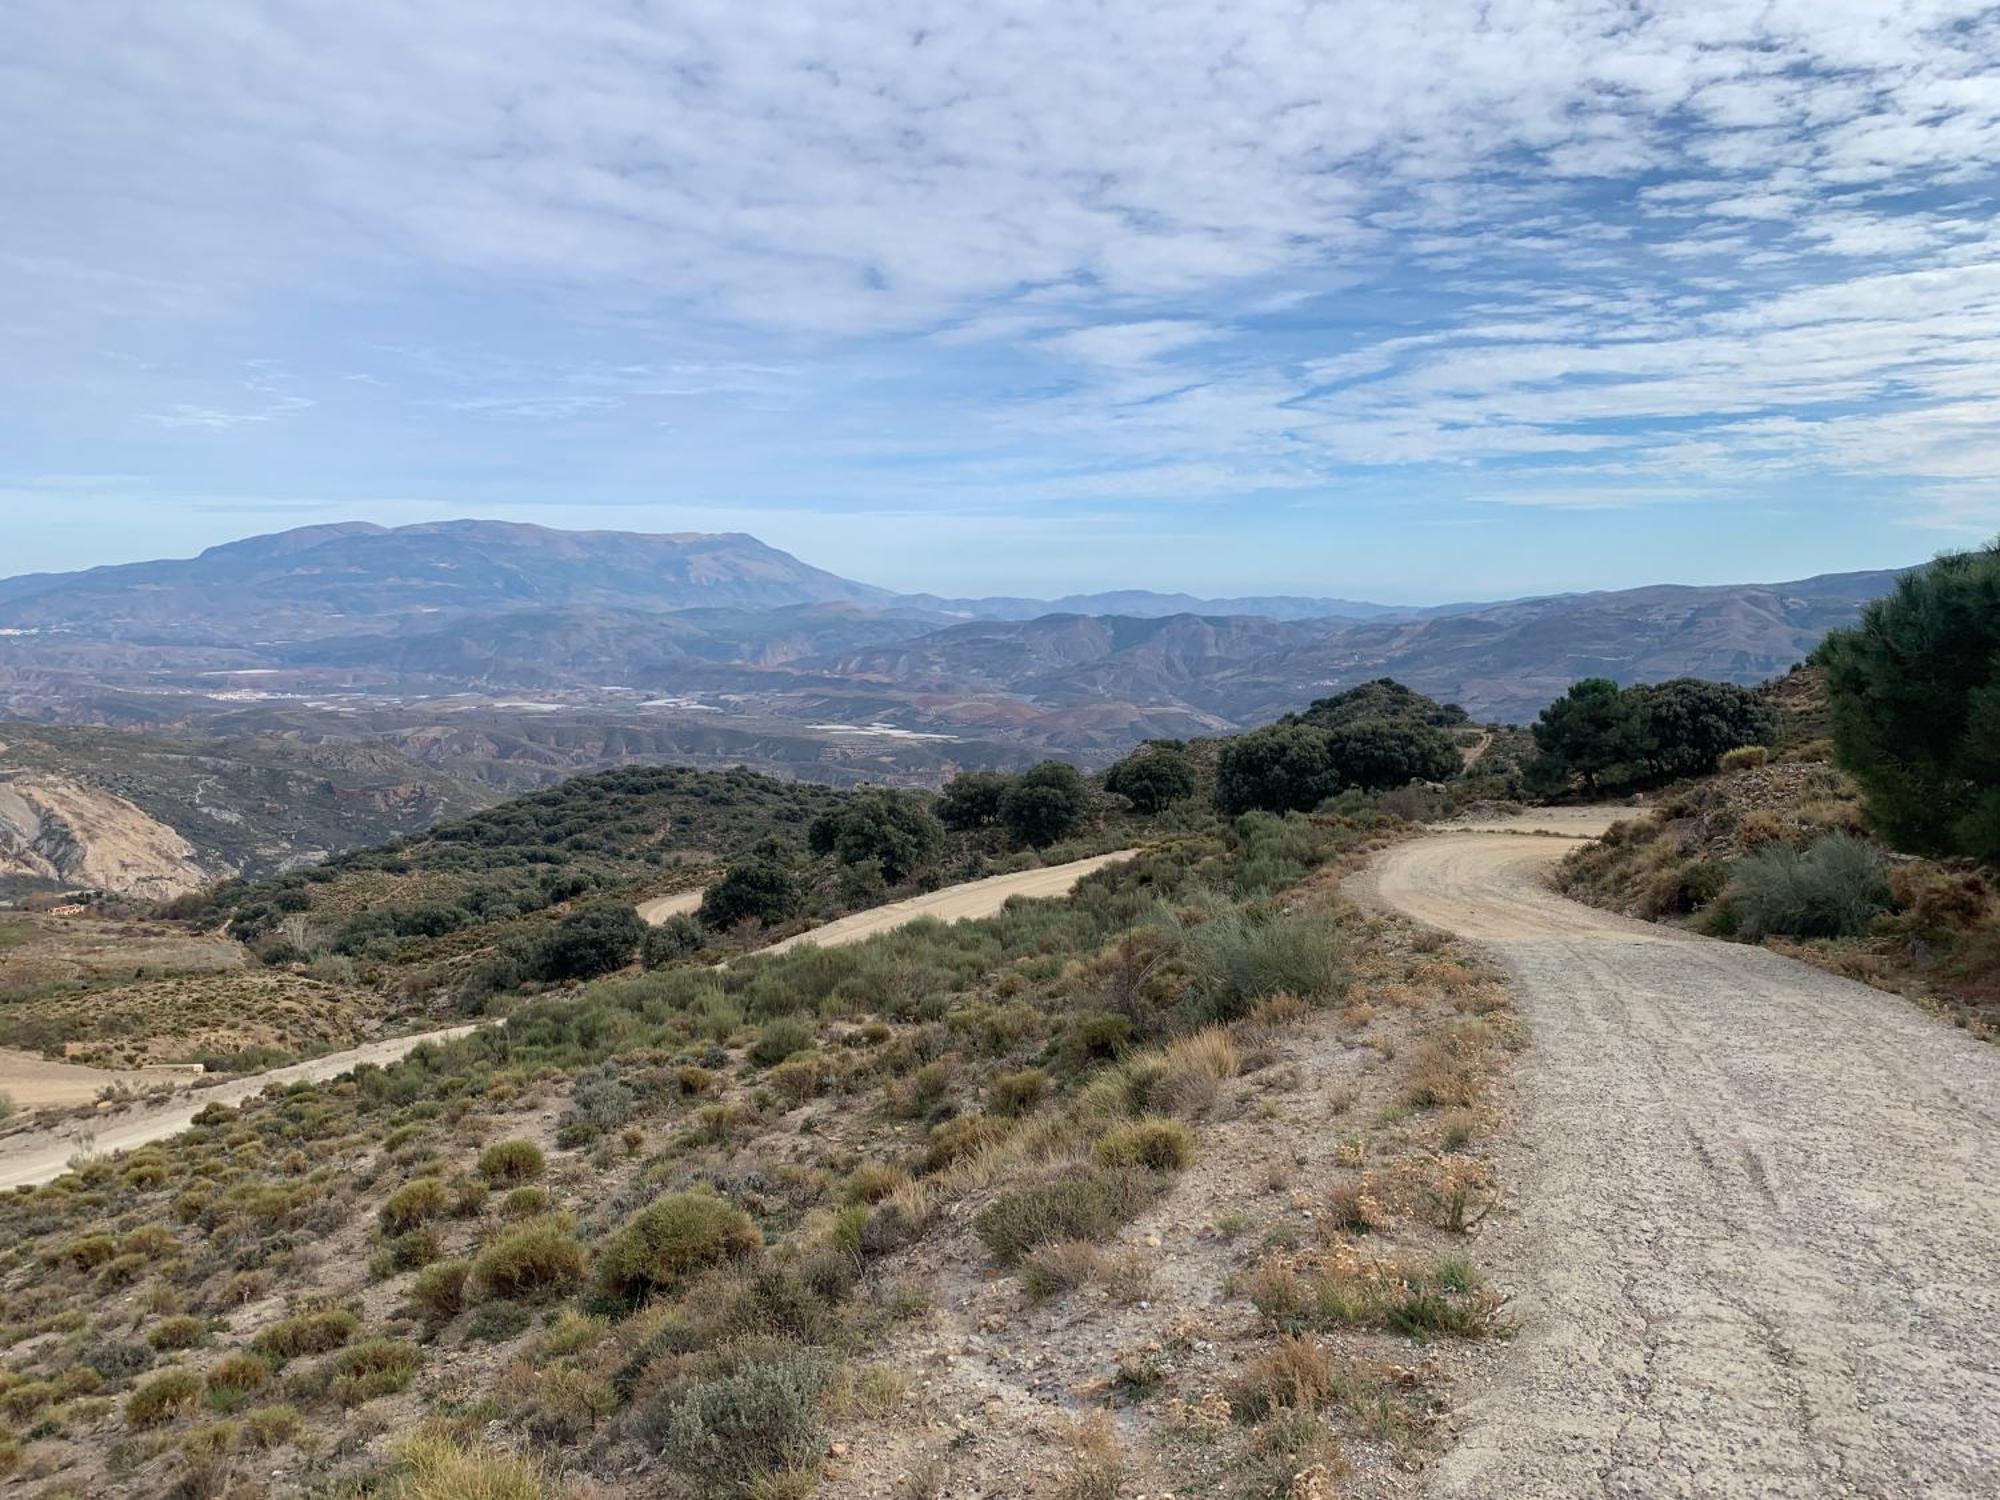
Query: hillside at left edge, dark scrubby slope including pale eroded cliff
[[153, 817]]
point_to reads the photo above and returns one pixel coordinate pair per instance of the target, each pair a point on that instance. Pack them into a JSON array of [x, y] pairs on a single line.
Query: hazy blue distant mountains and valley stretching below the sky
[[411, 629]]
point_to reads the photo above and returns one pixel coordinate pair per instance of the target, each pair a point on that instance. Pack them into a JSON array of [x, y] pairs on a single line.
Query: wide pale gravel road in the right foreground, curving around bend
[[1757, 1213]]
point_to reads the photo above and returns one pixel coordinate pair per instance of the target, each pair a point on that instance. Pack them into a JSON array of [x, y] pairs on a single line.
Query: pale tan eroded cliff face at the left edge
[[57, 829]]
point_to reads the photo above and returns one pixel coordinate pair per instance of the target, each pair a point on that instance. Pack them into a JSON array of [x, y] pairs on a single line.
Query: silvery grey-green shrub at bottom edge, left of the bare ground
[[751, 1413]]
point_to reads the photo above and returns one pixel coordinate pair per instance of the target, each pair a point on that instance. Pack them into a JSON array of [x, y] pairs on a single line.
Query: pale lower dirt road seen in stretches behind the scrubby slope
[[45, 1155]]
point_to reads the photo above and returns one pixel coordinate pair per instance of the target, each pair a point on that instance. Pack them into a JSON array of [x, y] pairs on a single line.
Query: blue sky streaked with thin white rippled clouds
[[1409, 301]]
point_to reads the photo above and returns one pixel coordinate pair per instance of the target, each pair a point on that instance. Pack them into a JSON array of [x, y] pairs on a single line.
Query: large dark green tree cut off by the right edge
[[1915, 703]]
